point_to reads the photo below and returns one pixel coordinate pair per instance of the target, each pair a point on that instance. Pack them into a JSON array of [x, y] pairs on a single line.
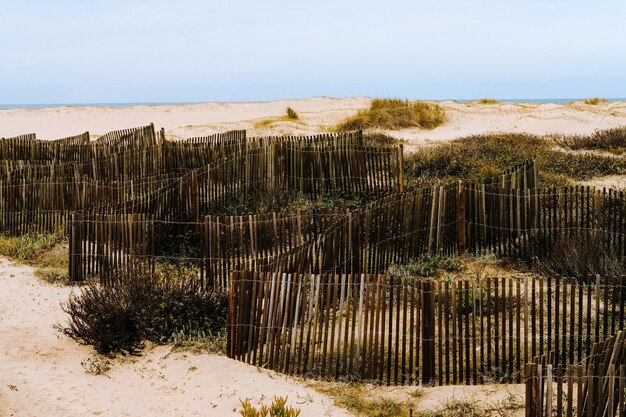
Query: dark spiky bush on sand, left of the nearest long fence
[[140, 306]]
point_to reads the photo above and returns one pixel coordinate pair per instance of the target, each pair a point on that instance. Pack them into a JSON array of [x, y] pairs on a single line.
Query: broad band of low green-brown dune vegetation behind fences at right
[[483, 157]]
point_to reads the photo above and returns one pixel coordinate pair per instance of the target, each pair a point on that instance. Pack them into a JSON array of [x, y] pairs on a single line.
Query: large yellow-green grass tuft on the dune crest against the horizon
[[394, 114]]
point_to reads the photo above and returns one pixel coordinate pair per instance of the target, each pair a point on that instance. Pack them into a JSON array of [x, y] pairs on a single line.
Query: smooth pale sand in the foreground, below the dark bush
[[41, 372]]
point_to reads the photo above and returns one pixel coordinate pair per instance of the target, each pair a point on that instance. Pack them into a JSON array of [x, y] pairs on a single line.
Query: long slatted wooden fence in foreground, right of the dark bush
[[410, 331]]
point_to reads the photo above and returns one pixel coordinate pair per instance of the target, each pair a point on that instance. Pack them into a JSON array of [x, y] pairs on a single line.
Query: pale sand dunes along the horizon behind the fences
[[317, 114]]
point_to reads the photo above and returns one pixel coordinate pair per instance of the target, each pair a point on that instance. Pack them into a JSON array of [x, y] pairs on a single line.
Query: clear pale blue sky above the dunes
[[77, 51]]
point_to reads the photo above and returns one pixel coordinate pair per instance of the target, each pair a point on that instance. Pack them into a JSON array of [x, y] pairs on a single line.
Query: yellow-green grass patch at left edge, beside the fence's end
[[47, 253]]
